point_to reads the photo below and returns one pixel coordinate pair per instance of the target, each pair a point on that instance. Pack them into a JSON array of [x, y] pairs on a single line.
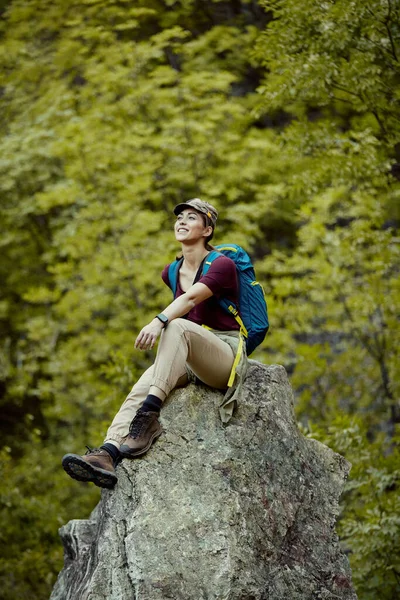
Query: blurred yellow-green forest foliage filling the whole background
[[285, 115]]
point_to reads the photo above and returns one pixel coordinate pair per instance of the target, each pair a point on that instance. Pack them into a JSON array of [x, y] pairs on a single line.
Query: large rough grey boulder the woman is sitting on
[[239, 512]]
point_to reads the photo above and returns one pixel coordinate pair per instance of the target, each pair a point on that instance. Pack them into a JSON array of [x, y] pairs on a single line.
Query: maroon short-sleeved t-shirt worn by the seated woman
[[221, 279]]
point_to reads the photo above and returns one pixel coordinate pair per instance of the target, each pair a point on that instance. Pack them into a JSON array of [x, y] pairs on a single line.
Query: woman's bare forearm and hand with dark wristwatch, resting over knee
[[179, 307]]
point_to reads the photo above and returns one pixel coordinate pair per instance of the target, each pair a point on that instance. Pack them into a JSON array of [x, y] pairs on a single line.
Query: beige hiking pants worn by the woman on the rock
[[182, 343]]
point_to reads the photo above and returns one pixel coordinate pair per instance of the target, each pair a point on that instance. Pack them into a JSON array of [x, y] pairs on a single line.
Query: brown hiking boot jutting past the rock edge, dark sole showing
[[96, 466]]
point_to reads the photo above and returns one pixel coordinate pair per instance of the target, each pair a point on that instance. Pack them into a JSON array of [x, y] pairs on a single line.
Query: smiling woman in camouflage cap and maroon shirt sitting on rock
[[199, 340]]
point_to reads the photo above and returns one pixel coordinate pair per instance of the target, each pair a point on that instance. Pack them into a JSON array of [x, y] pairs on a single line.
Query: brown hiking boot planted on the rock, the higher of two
[[143, 431]]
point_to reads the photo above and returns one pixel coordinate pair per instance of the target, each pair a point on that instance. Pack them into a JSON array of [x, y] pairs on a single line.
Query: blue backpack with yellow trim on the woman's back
[[253, 316]]
